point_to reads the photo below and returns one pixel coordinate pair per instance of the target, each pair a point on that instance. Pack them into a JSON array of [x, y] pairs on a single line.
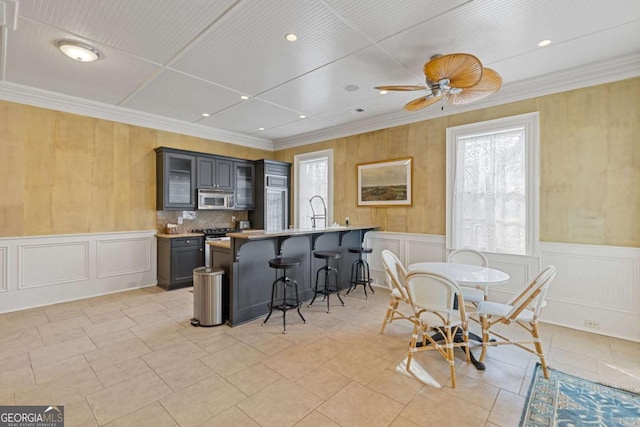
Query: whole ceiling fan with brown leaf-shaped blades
[[458, 78]]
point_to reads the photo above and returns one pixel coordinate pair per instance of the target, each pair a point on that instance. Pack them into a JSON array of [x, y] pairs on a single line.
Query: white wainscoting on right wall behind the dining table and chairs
[[594, 283]]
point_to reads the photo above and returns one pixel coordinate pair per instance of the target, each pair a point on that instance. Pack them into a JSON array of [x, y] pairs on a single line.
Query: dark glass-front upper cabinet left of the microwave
[[175, 180]]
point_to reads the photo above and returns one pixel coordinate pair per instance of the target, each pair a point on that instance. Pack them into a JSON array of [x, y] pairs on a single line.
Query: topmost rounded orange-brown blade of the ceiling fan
[[462, 69]]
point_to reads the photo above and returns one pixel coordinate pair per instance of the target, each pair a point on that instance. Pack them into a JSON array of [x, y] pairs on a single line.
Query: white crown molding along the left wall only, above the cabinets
[[70, 104]]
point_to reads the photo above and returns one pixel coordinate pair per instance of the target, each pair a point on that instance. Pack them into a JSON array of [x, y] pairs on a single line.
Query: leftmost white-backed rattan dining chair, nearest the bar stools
[[395, 273]]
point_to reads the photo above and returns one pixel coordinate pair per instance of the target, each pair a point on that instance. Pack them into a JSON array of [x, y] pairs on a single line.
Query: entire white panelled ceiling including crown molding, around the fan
[[166, 62]]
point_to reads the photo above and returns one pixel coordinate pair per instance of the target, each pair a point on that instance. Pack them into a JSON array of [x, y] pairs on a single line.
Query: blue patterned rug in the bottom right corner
[[568, 401]]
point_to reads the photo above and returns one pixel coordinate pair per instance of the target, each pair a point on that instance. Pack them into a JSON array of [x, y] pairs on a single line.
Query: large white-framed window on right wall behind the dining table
[[493, 185]]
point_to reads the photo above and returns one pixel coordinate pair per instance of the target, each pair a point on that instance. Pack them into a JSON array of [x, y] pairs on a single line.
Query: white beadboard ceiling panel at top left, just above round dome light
[[152, 30]]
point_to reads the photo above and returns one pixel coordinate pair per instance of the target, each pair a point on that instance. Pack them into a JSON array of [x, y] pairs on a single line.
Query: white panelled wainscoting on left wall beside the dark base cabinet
[[43, 270]]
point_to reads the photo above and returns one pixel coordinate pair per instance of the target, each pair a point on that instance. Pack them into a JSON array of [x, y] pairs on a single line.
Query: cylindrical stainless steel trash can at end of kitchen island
[[207, 296]]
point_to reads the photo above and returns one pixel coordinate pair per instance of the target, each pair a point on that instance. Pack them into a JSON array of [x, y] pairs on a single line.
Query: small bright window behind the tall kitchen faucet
[[313, 177]]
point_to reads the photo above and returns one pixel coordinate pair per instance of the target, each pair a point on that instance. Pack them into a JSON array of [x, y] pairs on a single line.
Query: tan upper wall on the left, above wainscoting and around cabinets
[[64, 173]]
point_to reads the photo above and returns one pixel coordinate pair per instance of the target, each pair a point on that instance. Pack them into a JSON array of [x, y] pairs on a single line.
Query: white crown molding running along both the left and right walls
[[601, 72]]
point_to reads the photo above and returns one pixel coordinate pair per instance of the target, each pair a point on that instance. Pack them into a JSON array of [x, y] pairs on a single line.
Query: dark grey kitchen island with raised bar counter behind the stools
[[248, 277]]
